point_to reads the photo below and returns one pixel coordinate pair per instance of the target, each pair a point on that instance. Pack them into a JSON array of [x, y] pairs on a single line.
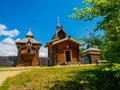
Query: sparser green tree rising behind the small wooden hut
[[96, 40]]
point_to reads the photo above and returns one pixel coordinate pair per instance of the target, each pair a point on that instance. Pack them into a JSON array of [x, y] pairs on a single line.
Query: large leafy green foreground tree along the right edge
[[109, 10]]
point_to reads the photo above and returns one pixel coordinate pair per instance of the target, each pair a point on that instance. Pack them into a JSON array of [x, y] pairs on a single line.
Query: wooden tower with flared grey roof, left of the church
[[28, 51]]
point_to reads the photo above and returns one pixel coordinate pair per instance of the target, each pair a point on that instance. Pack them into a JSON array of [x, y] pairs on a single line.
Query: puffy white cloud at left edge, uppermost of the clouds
[[5, 32]]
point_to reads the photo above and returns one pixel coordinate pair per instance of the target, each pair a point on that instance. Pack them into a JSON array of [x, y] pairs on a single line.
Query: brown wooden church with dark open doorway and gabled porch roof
[[62, 49]]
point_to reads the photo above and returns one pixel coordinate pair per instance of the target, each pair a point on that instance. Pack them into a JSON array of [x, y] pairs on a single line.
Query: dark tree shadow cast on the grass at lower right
[[87, 80]]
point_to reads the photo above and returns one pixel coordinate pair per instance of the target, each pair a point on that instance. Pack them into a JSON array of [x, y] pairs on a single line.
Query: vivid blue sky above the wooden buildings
[[41, 15]]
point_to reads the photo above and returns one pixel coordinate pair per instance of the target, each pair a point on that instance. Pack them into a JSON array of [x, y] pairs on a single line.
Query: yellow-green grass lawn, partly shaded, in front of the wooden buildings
[[61, 78]]
